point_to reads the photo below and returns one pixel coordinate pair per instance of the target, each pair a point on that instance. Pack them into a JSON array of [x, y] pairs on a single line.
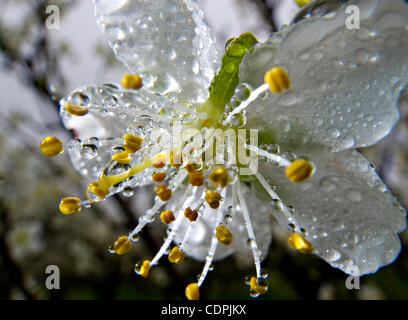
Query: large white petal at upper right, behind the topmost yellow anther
[[345, 83]]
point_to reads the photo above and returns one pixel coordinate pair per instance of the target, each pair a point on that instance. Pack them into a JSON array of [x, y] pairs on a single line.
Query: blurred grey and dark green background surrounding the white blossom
[[39, 66]]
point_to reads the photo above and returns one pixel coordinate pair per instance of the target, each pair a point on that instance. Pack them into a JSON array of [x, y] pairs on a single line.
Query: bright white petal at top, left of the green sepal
[[166, 41]]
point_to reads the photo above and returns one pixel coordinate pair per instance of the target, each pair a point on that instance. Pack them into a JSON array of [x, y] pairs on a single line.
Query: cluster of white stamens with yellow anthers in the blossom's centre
[[211, 180]]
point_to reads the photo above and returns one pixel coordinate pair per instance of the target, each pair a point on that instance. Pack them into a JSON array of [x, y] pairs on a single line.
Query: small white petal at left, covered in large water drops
[[112, 112]]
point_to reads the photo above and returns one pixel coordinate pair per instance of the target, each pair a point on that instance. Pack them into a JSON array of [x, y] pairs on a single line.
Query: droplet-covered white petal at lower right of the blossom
[[349, 215]]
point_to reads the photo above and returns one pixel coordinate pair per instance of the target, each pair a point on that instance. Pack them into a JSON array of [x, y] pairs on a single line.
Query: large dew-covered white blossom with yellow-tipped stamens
[[315, 92]]
